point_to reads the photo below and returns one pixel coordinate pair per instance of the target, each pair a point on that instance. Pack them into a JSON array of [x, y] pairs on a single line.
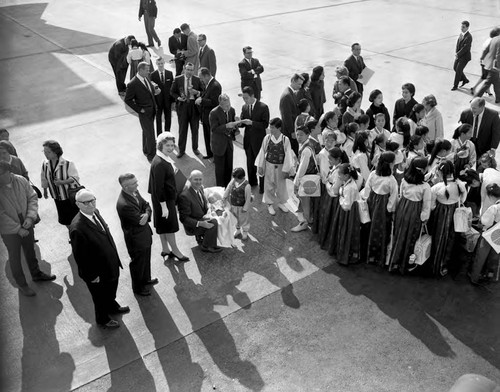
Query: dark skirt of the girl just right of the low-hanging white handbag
[[443, 238]]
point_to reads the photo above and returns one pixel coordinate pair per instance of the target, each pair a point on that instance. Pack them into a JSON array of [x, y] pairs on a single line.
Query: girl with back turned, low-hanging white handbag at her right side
[[413, 210]]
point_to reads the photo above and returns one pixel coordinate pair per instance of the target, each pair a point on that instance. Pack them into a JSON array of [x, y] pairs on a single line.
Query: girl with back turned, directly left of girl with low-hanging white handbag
[[381, 190]]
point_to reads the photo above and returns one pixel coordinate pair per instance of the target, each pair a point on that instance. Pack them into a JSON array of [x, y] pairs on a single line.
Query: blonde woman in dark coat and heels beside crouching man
[[163, 190]]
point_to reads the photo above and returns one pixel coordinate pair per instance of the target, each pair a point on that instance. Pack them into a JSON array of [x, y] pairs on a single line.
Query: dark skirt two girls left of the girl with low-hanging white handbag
[[348, 239]]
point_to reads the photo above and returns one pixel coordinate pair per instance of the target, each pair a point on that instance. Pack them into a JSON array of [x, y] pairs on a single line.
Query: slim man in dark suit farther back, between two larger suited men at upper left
[[163, 78]]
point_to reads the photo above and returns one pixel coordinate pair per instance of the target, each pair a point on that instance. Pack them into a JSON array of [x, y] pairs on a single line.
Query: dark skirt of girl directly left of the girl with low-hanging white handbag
[[380, 228]]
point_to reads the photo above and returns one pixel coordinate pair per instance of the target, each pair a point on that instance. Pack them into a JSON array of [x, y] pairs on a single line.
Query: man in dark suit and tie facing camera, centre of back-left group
[[185, 89]]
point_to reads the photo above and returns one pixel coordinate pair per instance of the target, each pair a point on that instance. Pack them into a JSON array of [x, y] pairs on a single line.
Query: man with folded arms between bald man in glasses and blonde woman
[[135, 213]]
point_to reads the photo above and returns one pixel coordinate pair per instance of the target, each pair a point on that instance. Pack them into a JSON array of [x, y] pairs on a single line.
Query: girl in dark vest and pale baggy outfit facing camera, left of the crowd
[[275, 161]]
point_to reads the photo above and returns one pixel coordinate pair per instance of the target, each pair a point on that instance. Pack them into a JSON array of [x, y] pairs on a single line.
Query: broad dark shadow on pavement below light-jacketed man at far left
[[44, 367]]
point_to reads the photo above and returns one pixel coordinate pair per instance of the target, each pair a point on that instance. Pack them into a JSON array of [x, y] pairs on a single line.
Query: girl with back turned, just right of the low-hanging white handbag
[[446, 196]]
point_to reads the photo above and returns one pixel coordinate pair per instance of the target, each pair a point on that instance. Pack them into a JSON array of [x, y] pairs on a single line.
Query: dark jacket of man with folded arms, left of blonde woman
[[129, 210]]
